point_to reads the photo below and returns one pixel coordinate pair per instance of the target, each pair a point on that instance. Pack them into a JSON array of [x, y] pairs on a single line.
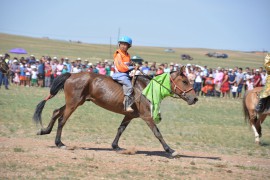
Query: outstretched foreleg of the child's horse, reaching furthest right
[[158, 135]]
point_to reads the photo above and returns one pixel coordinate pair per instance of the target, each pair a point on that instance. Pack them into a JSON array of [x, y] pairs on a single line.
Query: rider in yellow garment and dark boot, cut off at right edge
[[266, 90]]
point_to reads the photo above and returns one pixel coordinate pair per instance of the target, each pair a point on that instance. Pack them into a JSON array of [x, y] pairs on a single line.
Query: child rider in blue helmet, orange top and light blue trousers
[[123, 66]]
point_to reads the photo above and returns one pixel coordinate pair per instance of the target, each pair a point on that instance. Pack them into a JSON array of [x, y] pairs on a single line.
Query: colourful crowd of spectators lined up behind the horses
[[218, 82]]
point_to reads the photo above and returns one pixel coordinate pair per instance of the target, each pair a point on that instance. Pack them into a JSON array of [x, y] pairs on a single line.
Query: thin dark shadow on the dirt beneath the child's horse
[[150, 153]]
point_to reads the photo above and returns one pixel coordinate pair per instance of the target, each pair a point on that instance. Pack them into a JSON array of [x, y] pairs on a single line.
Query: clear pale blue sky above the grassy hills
[[242, 25]]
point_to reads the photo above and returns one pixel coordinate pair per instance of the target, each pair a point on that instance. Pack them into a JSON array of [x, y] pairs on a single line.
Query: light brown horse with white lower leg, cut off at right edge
[[250, 100]]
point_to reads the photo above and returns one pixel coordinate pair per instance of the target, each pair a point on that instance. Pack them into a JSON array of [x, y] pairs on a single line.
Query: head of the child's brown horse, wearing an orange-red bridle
[[181, 86]]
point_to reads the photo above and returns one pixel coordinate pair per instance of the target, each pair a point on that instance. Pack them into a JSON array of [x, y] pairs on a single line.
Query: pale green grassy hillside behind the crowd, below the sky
[[94, 52]]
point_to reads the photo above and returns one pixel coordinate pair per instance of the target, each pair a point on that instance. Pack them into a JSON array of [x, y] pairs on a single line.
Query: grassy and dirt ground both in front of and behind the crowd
[[211, 136]]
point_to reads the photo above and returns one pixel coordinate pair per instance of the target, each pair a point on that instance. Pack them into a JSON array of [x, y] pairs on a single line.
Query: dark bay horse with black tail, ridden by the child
[[108, 94]]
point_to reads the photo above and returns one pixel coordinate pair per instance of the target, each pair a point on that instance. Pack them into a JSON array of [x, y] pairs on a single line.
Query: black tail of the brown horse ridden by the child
[[57, 85]]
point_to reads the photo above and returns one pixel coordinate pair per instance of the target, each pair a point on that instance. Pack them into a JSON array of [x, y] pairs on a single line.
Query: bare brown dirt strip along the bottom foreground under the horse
[[36, 158]]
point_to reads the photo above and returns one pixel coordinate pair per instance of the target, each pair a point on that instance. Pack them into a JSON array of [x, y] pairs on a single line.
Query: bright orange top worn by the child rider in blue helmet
[[121, 59]]
